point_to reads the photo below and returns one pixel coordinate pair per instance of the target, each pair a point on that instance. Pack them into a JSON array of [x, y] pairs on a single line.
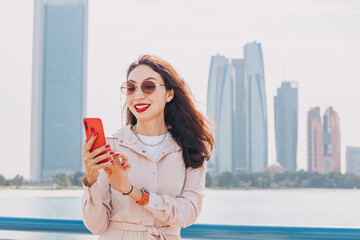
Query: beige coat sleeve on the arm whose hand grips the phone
[[96, 203]]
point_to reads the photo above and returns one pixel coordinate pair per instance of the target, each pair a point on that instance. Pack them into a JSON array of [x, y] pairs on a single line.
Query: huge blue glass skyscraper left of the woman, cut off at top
[[58, 88]]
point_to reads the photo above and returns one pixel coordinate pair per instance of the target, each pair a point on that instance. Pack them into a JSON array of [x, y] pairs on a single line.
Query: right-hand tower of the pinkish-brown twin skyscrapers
[[331, 140]]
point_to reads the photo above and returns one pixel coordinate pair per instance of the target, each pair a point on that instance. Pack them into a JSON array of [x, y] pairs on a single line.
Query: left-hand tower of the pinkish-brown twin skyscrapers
[[315, 141]]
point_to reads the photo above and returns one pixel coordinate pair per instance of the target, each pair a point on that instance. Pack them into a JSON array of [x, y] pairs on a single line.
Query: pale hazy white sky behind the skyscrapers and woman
[[313, 42]]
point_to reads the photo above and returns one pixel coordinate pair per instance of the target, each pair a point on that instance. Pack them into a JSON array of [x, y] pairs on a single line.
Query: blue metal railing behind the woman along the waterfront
[[196, 231]]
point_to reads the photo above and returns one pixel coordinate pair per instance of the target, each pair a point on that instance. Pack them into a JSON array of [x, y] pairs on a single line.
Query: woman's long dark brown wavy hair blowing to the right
[[190, 129]]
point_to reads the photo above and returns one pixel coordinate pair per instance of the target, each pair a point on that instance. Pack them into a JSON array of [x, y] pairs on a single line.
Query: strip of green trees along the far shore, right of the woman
[[300, 179]]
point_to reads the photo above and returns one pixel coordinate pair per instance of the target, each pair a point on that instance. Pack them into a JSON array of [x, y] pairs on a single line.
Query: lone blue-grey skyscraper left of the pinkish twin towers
[[286, 124]]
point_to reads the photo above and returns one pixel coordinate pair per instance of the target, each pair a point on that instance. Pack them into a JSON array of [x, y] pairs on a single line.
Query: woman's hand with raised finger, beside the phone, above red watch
[[118, 178]]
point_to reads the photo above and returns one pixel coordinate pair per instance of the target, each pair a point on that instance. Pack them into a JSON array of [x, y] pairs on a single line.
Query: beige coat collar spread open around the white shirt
[[127, 138]]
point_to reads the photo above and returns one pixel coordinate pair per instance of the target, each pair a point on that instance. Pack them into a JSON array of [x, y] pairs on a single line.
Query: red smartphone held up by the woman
[[94, 125]]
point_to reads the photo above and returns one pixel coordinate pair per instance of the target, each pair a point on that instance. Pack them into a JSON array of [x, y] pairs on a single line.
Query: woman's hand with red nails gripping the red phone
[[91, 160]]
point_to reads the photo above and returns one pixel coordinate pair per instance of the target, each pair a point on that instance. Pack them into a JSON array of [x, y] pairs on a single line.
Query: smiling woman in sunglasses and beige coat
[[155, 183]]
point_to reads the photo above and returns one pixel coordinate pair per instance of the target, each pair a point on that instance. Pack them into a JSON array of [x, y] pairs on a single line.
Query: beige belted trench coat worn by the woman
[[175, 201]]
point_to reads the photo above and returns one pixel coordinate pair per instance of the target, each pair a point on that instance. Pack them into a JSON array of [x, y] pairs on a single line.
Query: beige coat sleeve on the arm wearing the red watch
[[181, 211]]
